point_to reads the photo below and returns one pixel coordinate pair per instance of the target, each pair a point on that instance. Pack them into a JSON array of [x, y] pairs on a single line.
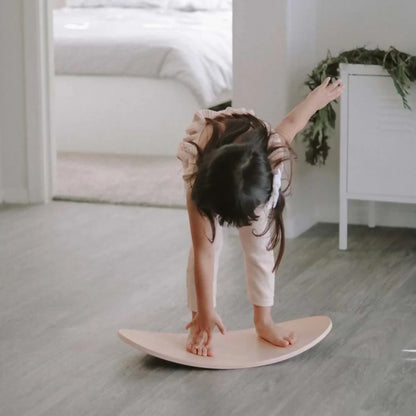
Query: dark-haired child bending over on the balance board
[[232, 168]]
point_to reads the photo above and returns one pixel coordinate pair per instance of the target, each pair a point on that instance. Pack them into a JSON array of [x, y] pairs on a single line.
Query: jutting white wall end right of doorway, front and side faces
[[274, 47]]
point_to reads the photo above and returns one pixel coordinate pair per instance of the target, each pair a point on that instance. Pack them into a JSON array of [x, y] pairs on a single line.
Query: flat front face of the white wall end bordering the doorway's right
[[258, 40]]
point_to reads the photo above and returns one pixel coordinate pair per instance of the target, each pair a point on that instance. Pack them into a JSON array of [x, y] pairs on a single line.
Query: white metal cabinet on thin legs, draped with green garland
[[378, 142]]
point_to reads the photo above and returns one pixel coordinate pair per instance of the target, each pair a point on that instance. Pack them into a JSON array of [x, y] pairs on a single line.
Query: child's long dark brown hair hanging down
[[234, 175]]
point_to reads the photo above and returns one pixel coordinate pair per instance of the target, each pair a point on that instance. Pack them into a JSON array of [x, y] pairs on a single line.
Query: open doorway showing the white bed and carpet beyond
[[111, 118]]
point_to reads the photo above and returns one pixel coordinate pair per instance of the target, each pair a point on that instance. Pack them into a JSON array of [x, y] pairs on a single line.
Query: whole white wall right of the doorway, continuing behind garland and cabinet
[[276, 44]]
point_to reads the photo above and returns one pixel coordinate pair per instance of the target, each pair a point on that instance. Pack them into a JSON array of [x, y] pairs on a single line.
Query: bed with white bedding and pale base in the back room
[[128, 79]]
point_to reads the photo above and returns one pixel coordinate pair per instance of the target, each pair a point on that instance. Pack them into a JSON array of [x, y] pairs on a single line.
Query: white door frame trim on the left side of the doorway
[[38, 75]]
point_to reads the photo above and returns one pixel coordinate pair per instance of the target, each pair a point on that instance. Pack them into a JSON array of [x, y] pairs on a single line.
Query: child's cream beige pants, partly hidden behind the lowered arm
[[259, 264]]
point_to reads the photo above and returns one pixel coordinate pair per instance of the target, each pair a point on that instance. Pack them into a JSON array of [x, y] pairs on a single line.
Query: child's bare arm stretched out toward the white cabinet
[[297, 119]]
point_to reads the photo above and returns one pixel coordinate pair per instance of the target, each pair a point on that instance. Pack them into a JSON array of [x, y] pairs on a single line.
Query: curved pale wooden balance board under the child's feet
[[236, 349]]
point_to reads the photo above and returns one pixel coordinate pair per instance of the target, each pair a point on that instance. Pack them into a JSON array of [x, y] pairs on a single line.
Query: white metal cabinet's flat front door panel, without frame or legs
[[381, 139]]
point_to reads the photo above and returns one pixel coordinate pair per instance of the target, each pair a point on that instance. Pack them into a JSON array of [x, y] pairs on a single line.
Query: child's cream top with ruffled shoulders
[[187, 152]]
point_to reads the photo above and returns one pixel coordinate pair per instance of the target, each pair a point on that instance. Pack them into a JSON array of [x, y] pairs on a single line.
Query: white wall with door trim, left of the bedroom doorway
[[25, 154]]
